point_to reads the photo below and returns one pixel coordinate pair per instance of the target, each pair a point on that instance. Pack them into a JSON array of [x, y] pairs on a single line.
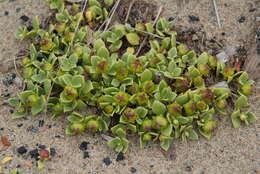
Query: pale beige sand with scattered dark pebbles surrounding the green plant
[[231, 151]]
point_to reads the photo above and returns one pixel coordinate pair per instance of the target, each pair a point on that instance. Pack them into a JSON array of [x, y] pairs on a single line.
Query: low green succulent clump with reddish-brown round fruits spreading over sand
[[162, 95]]
